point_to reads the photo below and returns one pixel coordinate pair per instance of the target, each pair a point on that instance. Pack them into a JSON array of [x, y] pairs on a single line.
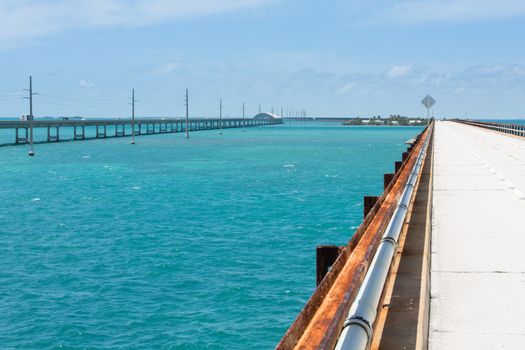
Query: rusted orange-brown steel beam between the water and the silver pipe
[[319, 323]]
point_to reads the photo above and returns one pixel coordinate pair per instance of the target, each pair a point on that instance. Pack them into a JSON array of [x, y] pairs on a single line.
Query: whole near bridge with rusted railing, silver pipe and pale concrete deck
[[457, 278]]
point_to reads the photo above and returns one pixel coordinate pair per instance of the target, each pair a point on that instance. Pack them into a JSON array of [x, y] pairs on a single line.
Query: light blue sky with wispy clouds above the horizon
[[330, 57]]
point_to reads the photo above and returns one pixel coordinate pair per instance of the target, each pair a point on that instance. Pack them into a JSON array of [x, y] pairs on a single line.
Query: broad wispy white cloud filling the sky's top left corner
[[31, 19]]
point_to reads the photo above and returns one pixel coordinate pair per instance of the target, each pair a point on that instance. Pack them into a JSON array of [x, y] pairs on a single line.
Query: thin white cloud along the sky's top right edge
[[422, 11]]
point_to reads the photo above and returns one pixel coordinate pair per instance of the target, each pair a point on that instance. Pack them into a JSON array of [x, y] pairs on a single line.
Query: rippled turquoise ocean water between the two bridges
[[174, 244]]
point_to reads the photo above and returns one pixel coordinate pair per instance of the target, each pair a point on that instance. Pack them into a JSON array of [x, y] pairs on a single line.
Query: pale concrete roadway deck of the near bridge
[[478, 240]]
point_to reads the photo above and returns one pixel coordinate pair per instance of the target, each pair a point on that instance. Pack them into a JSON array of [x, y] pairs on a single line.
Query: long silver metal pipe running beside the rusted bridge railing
[[357, 330]]
